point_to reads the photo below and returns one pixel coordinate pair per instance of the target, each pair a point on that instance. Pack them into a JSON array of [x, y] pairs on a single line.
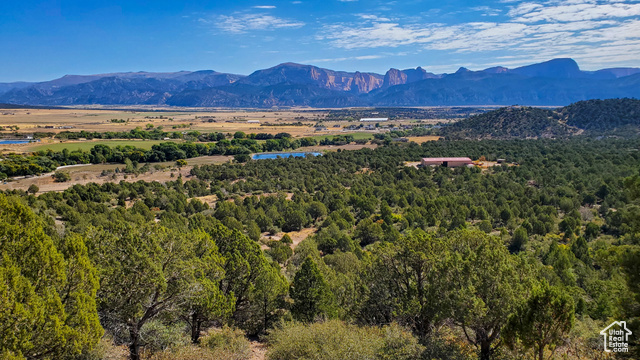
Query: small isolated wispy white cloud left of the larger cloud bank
[[241, 23]]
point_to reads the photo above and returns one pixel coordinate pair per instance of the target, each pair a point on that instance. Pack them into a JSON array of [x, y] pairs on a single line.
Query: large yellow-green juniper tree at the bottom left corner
[[47, 289]]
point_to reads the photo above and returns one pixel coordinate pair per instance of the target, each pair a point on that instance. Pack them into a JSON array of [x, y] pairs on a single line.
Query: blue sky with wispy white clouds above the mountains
[[42, 40]]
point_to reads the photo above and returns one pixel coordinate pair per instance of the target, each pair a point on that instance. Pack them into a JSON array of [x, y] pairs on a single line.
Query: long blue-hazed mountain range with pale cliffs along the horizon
[[554, 82]]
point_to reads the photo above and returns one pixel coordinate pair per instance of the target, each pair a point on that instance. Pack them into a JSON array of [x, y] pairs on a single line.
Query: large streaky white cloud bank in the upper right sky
[[582, 29]]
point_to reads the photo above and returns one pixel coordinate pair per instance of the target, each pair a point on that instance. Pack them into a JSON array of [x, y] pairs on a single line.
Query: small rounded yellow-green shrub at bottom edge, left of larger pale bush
[[231, 342]]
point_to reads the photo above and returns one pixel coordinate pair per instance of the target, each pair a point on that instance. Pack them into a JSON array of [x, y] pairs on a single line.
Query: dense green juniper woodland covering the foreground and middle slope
[[505, 262]]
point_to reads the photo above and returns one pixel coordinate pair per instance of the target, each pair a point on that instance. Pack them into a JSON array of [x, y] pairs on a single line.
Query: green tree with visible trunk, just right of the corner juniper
[[164, 276]]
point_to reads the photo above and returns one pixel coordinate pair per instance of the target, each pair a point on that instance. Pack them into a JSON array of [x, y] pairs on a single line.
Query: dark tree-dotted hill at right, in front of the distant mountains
[[592, 117]]
